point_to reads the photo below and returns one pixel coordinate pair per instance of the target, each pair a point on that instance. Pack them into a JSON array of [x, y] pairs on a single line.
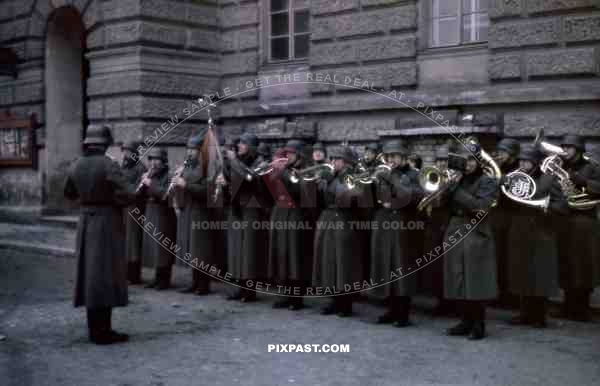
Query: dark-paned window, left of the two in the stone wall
[[289, 35]]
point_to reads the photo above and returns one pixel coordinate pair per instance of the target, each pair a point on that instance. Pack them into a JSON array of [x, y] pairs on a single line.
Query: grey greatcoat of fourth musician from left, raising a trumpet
[[250, 202]]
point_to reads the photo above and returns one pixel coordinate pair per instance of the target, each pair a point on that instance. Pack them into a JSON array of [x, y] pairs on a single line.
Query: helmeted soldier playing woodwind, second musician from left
[[160, 220]]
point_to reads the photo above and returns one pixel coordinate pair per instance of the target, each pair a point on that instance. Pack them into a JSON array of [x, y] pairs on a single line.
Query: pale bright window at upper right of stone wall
[[455, 22]]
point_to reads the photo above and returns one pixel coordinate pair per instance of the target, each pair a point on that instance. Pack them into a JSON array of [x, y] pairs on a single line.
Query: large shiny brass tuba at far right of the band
[[552, 165]]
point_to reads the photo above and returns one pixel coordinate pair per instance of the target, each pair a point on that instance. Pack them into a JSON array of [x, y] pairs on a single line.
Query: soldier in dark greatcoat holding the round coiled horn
[[532, 259]]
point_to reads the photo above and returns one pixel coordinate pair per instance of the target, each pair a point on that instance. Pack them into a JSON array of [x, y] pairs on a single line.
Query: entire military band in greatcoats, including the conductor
[[252, 188]]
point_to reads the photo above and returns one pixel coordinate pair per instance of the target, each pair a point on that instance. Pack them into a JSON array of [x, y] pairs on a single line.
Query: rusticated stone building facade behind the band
[[137, 65]]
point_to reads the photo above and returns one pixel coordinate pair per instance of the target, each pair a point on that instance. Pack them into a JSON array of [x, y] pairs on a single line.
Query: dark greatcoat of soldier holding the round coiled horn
[[532, 259]]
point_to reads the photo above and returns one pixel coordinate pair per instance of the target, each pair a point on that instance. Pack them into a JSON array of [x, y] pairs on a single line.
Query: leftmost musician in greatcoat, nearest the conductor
[[133, 169]]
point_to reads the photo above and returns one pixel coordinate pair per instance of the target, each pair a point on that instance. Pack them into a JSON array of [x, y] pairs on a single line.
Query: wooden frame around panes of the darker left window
[[291, 35]]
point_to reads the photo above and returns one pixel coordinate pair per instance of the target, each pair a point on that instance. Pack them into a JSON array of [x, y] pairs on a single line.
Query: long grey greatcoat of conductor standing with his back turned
[[102, 190]]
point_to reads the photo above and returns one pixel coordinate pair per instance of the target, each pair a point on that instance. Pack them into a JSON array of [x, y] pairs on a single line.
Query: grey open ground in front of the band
[[187, 340]]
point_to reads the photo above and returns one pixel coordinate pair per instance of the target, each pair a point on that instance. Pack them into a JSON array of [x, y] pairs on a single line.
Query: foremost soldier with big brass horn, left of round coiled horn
[[470, 263]]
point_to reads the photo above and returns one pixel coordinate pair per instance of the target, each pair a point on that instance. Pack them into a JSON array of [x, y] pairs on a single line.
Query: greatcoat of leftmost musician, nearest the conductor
[[133, 232]]
